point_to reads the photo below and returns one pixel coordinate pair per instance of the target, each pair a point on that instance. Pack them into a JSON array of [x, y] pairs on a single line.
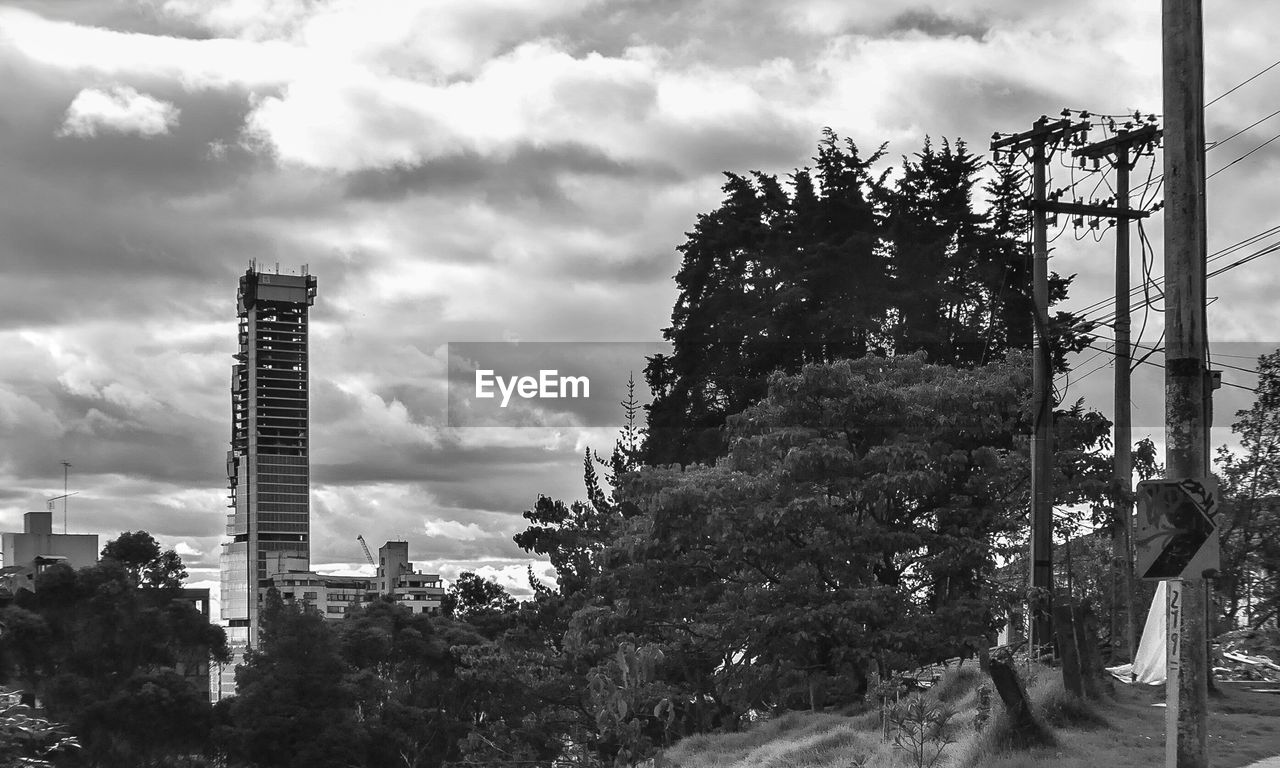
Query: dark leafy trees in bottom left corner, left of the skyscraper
[[99, 651]]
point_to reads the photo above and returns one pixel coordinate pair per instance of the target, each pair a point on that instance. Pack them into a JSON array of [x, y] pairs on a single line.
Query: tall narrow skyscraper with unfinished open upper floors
[[268, 467]]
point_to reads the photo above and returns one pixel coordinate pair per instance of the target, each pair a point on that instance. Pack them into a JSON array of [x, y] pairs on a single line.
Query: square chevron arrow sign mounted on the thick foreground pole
[[1177, 528]]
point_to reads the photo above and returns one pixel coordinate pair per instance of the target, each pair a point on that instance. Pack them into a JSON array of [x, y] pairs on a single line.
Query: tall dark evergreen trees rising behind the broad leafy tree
[[843, 266]]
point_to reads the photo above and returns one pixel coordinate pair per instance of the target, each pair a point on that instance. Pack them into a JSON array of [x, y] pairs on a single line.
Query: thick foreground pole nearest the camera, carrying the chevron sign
[[1186, 454]]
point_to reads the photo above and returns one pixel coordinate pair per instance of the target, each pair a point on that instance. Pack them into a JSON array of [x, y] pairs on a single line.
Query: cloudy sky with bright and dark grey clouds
[[477, 171]]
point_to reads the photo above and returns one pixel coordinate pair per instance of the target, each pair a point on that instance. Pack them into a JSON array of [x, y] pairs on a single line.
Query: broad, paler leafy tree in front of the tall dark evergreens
[[856, 524]]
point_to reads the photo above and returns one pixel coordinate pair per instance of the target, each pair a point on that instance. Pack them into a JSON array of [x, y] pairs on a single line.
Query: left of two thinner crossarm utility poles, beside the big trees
[[1039, 144]]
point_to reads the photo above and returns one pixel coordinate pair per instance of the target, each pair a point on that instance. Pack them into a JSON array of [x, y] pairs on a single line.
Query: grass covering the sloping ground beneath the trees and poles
[[1126, 732]]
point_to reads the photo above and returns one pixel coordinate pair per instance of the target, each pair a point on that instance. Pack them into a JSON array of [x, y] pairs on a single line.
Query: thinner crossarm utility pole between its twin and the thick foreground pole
[[1118, 150]]
